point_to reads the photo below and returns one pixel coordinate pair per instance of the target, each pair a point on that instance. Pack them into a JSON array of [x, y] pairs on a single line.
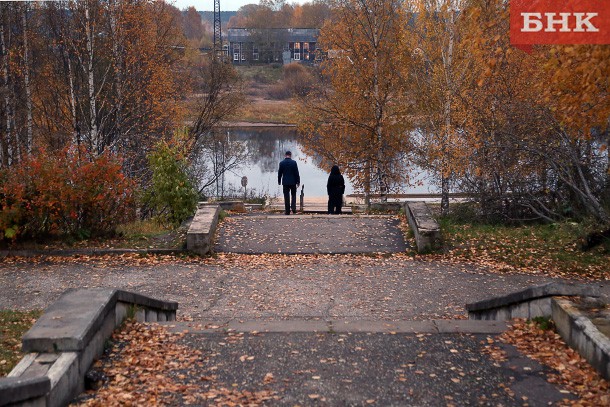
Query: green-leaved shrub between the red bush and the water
[[172, 195]]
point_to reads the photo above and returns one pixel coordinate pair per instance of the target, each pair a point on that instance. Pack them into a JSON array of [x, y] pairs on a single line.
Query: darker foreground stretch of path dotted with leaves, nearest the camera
[[357, 369]]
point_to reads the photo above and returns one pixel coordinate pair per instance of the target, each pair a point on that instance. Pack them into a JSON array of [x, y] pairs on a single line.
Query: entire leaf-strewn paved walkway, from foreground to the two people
[[318, 329]]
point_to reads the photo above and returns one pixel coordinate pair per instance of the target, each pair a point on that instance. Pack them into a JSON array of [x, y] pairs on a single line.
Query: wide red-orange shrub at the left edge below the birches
[[64, 193]]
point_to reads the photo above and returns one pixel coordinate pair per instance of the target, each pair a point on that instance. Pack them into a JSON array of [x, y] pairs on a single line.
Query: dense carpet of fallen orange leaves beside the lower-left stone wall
[[147, 366]]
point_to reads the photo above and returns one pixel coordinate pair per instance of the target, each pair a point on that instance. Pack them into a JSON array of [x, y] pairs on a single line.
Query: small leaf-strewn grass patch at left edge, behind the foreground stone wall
[[13, 324]]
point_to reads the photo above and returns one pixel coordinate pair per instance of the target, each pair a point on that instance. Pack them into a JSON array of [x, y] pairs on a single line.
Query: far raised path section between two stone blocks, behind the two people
[[300, 234]]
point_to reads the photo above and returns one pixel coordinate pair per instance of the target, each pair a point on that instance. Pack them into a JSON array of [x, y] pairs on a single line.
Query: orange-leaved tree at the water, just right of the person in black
[[360, 116]]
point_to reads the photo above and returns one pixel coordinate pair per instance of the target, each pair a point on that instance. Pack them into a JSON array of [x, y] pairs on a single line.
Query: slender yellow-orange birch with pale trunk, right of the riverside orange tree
[[441, 67]]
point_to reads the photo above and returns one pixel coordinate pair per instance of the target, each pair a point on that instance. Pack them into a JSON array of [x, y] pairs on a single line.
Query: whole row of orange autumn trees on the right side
[[438, 84]]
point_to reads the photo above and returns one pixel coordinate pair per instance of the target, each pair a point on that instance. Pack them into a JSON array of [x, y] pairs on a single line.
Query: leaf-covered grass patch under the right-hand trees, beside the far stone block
[[550, 248]]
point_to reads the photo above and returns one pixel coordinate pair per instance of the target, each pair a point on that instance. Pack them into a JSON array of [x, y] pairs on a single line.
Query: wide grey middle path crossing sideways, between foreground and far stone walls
[[272, 287]]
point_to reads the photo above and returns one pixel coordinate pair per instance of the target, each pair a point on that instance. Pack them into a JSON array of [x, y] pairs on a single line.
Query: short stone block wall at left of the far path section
[[200, 236]]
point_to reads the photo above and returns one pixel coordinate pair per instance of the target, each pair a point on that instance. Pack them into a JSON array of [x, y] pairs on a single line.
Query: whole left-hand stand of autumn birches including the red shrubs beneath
[[108, 83]]
